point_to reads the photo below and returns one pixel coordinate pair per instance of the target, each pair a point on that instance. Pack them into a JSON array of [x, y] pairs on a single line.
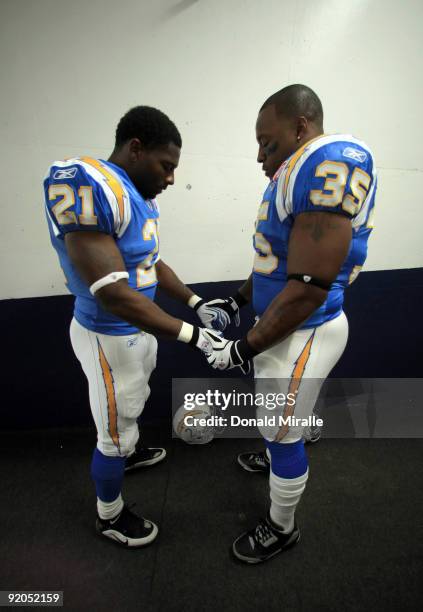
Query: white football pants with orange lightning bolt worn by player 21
[[118, 369]]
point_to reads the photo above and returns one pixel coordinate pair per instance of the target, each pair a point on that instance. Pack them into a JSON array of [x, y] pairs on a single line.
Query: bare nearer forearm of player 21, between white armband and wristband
[[125, 303]]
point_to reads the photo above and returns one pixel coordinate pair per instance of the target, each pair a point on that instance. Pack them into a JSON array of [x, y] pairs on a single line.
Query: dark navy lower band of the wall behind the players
[[43, 386]]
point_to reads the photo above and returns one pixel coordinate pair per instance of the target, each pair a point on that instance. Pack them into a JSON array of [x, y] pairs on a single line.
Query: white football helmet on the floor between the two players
[[190, 431]]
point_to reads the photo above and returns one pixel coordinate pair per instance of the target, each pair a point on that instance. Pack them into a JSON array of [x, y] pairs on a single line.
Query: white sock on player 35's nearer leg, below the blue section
[[285, 493]]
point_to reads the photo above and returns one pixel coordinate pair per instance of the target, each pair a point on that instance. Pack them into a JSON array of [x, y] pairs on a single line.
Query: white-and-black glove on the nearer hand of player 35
[[228, 354]]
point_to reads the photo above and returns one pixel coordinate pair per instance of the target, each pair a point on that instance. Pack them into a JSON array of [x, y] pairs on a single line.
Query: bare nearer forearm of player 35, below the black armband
[[294, 305]]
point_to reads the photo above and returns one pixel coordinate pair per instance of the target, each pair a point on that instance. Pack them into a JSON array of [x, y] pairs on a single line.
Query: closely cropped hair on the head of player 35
[[296, 101]]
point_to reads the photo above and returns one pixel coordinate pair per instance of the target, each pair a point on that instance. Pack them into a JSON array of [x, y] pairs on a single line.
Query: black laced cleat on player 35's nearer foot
[[263, 542]]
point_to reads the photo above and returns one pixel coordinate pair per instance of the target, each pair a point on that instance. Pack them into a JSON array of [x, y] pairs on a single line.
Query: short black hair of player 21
[[151, 126]]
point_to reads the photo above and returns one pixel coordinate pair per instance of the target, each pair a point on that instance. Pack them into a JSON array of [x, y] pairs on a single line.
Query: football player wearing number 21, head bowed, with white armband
[[103, 220]]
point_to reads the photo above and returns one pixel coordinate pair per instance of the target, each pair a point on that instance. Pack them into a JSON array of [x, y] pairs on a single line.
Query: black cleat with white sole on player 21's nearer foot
[[128, 529]]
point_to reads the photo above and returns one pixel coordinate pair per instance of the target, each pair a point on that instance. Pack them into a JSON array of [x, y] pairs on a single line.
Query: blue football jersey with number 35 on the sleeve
[[332, 174]]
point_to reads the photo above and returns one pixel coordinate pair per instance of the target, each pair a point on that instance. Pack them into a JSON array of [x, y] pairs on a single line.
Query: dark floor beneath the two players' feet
[[360, 521]]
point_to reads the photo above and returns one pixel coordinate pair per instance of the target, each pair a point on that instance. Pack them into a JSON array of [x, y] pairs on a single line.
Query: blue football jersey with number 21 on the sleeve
[[93, 195]]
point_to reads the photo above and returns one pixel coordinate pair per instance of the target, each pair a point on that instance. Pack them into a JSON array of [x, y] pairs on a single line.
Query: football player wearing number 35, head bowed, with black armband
[[310, 244]]
